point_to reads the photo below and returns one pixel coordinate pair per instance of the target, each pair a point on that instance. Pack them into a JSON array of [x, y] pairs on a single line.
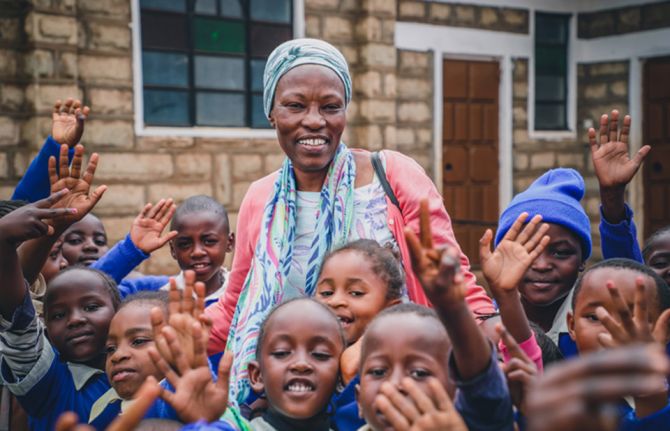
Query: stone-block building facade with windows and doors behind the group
[[484, 94]]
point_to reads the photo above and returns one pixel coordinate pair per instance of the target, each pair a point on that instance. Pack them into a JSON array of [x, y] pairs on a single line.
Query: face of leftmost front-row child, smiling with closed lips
[[77, 310]]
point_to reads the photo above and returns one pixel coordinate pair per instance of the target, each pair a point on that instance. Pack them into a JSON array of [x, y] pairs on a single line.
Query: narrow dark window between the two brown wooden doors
[[551, 71]]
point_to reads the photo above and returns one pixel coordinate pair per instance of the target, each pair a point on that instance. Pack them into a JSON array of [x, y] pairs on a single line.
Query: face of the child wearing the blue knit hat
[[554, 272]]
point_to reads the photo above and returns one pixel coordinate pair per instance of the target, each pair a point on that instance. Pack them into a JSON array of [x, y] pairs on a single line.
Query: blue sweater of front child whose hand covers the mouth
[[483, 401]]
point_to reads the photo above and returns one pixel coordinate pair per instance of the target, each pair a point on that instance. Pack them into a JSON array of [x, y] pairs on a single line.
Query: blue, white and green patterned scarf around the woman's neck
[[264, 286]]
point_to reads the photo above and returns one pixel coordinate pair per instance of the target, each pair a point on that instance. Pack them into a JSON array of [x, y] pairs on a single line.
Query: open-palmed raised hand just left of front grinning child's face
[[196, 396]]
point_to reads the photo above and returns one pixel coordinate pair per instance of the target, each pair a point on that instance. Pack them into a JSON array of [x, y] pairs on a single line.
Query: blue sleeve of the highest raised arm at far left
[[35, 183]]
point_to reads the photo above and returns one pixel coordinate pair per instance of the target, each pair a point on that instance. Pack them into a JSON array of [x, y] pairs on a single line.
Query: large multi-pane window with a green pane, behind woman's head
[[203, 60]]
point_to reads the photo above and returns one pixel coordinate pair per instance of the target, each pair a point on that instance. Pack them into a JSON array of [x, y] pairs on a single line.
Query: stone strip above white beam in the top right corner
[[623, 20]]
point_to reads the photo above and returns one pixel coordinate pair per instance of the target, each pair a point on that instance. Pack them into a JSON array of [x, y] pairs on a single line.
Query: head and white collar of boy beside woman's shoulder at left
[[201, 242]]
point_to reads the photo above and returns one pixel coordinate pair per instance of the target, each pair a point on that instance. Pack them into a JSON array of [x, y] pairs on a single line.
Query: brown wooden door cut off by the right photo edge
[[656, 129]]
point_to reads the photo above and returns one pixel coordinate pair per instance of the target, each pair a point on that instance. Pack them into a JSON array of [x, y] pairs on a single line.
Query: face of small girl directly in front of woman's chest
[[355, 293]]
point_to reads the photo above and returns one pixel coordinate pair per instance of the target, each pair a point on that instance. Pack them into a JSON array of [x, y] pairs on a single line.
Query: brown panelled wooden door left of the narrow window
[[470, 149]]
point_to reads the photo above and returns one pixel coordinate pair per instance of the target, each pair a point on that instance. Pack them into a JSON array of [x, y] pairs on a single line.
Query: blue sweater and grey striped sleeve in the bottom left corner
[[44, 385]]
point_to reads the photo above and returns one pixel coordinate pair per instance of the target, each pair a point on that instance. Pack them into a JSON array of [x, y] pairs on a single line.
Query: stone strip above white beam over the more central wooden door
[[463, 15]]
